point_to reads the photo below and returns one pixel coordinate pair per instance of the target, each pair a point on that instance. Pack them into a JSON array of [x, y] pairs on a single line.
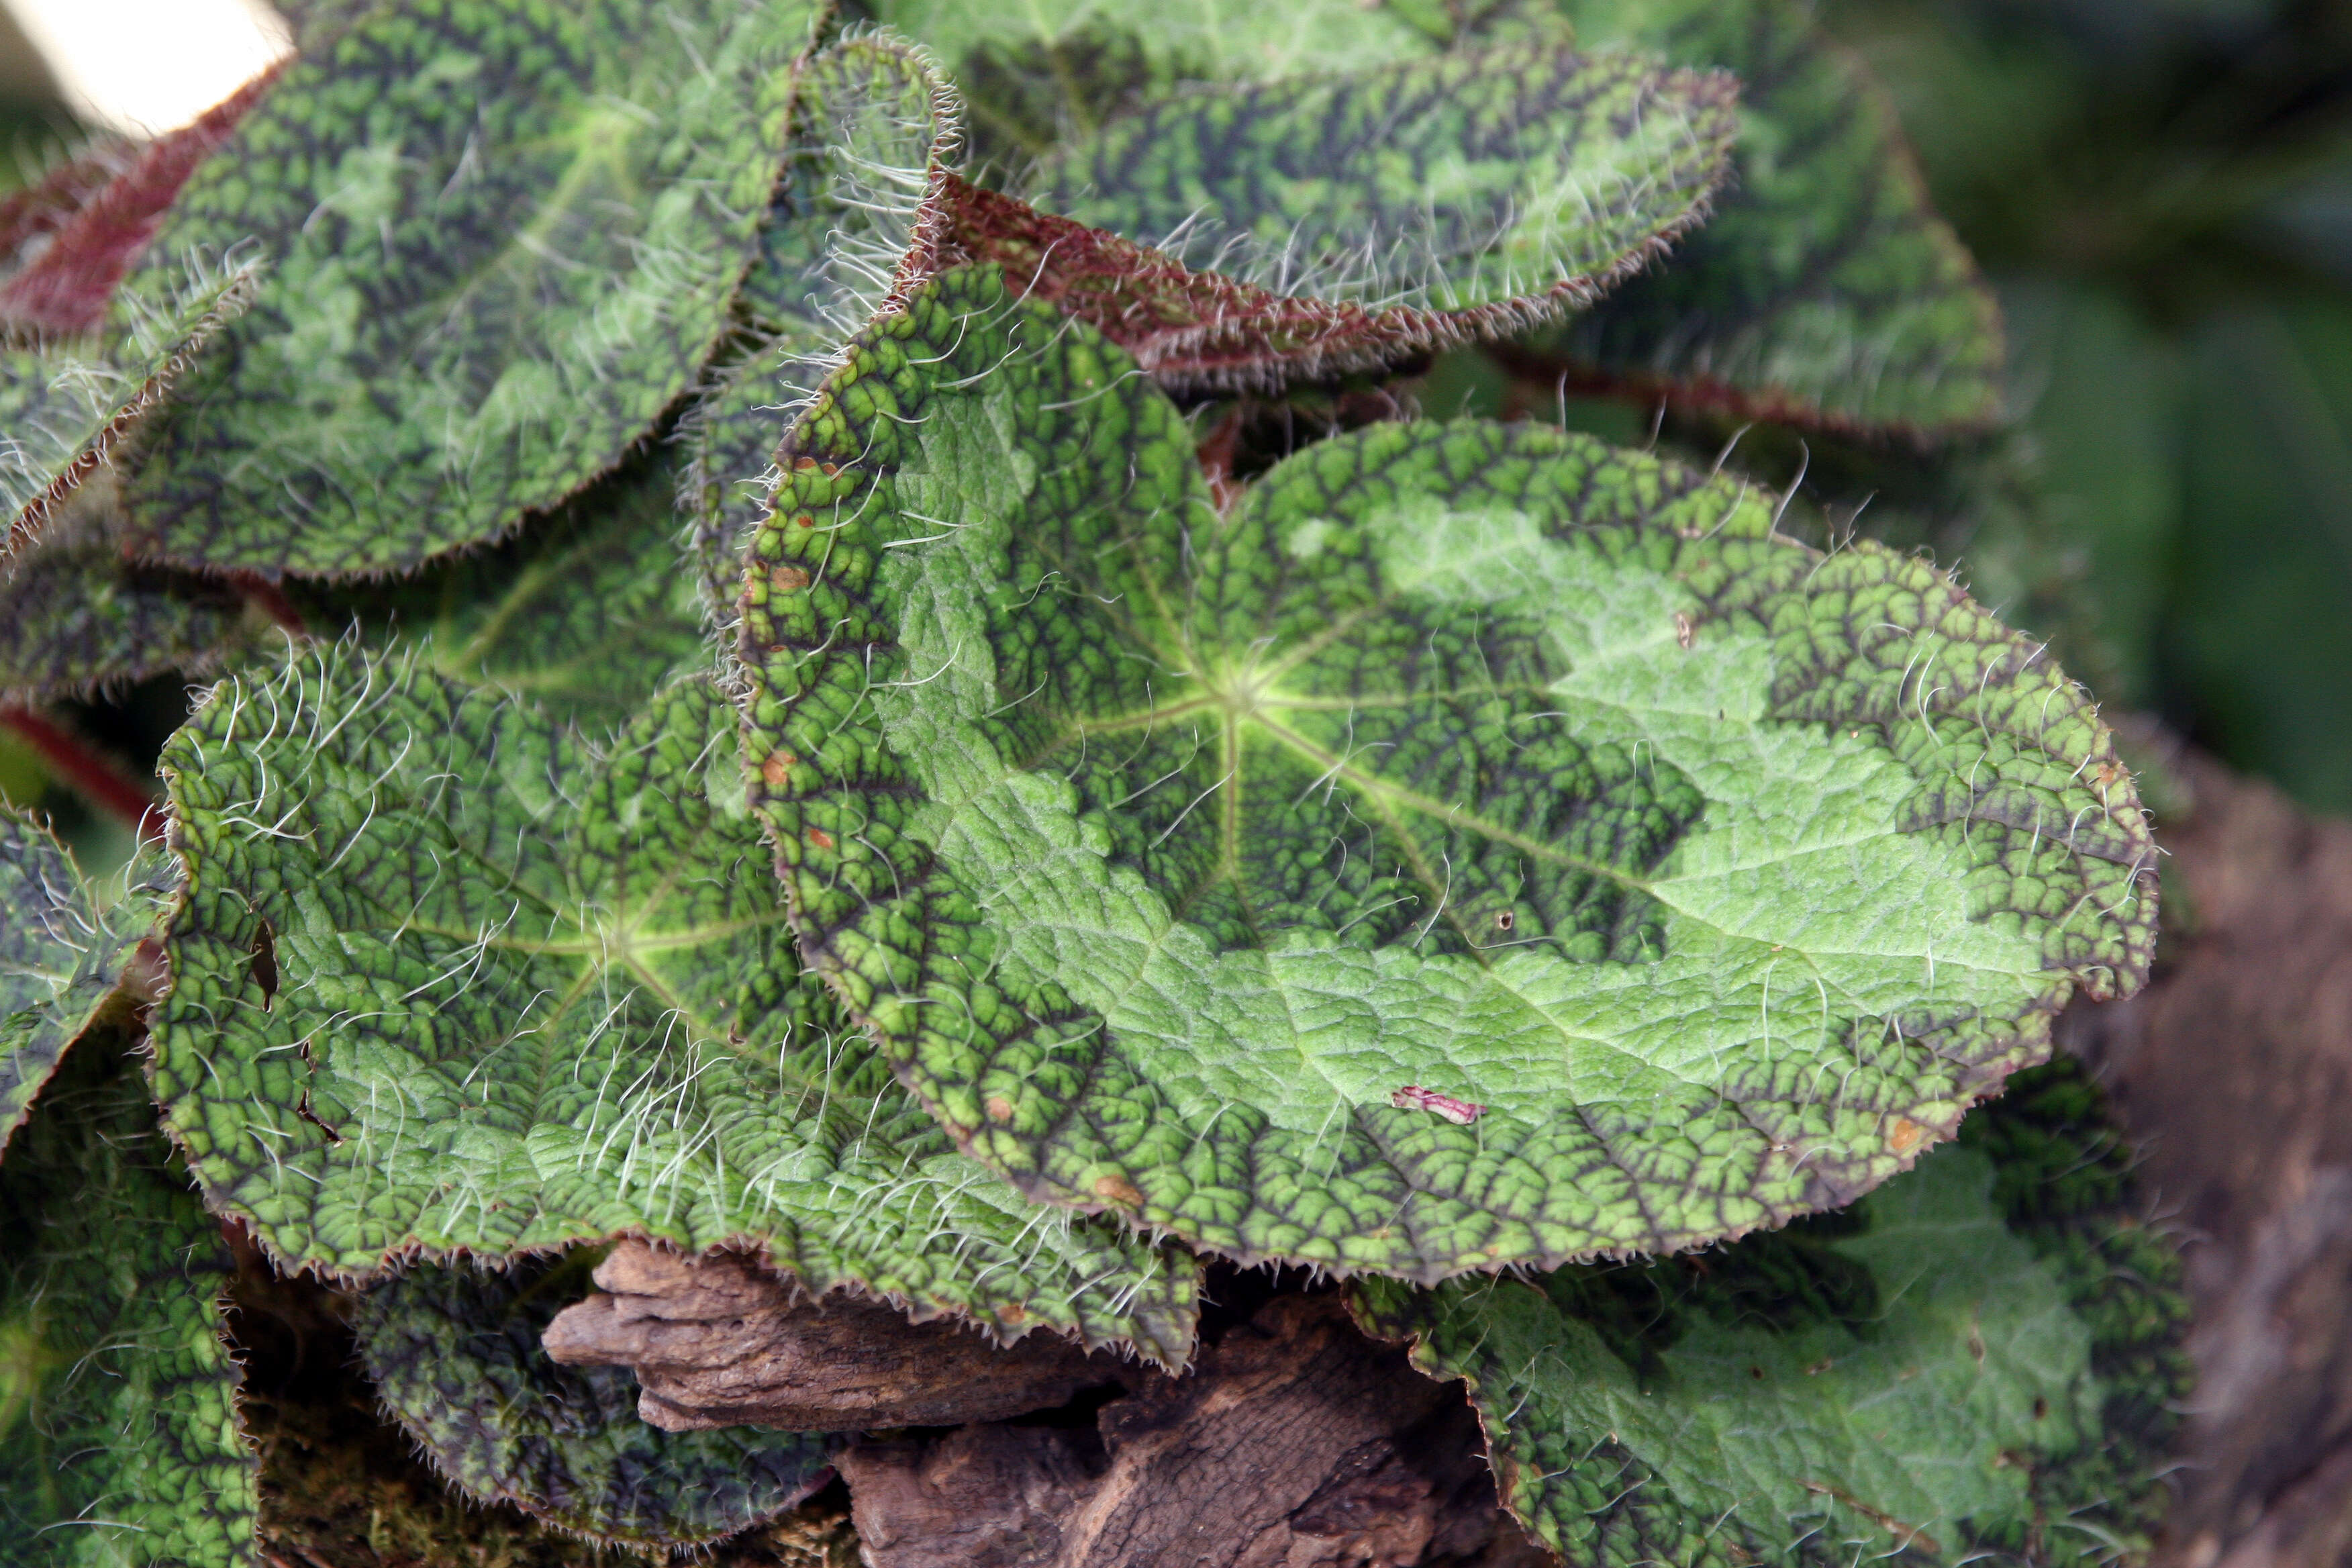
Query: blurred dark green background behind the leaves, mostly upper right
[[2163, 196]]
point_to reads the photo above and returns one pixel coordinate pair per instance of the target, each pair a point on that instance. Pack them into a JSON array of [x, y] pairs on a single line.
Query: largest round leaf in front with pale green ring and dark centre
[[1161, 850]]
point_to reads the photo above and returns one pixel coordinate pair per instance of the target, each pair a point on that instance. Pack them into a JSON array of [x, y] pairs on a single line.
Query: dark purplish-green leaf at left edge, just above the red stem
[[79, 617]]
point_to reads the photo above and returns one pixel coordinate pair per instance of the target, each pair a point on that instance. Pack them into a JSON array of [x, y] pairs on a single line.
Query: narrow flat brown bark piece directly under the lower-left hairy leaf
[[723, 1343]]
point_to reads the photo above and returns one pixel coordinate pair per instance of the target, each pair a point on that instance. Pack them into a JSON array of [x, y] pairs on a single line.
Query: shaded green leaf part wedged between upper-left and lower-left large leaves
[[584, 612]]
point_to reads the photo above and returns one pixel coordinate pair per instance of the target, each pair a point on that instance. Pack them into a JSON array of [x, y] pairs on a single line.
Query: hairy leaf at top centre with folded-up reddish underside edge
[[1443, 199]]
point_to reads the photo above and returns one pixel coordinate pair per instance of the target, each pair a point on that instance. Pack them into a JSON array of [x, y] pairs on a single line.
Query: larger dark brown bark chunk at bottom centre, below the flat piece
[[1292, 1445]]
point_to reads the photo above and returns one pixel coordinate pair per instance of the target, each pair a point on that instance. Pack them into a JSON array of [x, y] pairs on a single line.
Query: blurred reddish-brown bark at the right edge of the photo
[[2236, 1073]]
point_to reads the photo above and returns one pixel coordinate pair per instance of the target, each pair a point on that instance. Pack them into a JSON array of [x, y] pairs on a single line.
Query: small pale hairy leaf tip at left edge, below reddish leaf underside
[[67, 406]]
